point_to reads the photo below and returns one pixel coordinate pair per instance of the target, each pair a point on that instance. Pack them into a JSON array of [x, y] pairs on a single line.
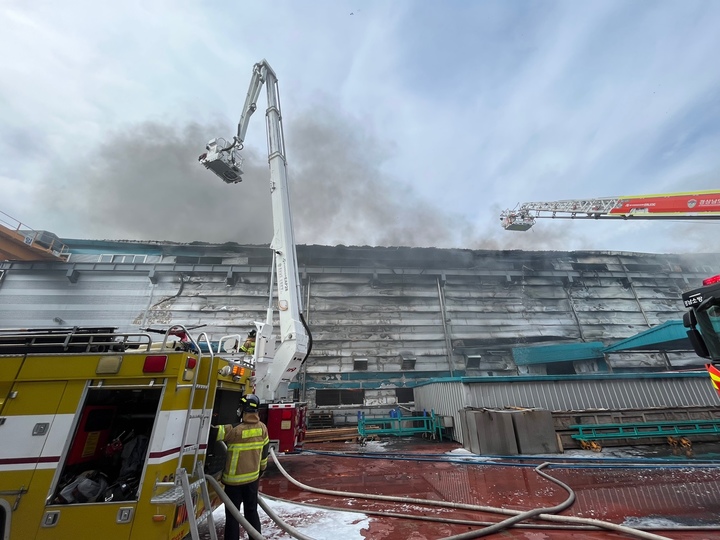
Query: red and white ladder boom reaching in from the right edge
[[697, 205]]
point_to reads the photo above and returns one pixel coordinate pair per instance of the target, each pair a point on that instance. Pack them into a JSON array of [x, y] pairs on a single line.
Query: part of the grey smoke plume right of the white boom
[[341, 196]]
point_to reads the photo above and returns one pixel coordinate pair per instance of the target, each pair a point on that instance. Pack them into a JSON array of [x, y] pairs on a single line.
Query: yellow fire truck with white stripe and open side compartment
[[108, 435]]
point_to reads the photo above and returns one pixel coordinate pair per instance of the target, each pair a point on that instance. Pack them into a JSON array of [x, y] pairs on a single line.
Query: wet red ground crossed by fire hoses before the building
[[646, 487]]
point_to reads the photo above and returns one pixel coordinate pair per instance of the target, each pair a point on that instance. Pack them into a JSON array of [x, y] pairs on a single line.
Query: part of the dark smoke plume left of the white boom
[[145, 183]]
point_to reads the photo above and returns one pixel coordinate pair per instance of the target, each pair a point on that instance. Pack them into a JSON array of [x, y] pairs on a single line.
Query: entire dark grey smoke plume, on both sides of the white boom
[[145, 183]]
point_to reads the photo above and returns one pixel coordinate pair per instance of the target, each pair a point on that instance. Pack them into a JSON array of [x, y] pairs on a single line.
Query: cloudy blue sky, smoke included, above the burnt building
[[407, 122]]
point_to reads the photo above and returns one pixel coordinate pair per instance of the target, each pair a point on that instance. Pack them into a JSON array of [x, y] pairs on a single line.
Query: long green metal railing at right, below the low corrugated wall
[[642, 430]]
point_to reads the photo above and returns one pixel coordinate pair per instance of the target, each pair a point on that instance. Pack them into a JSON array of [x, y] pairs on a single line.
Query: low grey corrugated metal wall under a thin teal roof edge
[[570, 394]]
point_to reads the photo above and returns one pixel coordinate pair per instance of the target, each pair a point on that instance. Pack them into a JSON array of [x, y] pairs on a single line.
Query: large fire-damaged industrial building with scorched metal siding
[[387, 320]]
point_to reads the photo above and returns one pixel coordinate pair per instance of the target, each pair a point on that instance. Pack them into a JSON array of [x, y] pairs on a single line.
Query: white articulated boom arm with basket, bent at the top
[[274, 368]]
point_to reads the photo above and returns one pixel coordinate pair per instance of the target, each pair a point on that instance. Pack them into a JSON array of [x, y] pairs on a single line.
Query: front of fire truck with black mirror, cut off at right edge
[[702, 320]]
